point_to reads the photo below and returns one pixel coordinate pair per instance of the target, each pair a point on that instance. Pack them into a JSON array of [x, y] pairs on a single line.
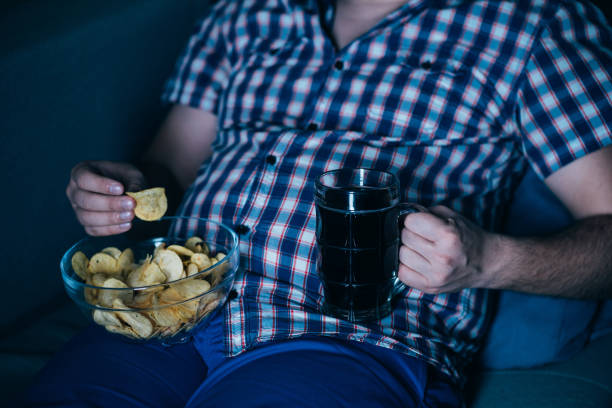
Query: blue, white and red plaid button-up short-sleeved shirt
[[457, 98]]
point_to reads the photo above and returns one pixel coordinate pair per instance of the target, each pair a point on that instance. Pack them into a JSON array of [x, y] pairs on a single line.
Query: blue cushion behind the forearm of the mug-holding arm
[[529, 330]]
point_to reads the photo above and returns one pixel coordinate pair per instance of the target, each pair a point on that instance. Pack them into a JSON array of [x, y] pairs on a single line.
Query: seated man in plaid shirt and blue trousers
[[457, 98]]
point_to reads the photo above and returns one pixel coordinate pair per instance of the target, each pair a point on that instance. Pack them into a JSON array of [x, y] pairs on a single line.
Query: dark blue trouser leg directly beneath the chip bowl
[[98, 369]]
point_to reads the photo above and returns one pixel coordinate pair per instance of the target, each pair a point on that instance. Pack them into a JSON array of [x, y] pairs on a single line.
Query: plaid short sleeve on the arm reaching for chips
[[201, 72]]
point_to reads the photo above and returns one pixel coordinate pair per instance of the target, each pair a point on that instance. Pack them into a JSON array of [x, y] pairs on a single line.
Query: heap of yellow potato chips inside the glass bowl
[[160, 311]]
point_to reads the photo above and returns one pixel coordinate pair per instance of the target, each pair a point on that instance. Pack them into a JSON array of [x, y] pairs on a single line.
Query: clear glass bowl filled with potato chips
[[158, 281]]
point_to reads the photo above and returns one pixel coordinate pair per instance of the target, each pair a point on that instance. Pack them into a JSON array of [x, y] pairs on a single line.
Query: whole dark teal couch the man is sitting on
[[81, 80]]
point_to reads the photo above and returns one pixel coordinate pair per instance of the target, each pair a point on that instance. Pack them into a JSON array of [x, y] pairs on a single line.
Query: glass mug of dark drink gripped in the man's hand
[[358, 237]]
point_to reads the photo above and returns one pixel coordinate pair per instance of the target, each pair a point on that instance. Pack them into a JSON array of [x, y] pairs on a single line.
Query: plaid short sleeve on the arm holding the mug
[[565, 102]]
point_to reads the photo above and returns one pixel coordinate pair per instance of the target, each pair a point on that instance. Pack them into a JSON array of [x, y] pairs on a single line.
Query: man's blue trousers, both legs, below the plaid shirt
[[96, 369]]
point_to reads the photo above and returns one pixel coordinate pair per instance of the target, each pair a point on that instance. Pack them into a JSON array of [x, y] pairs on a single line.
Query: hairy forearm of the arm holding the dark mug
[[576, 262]]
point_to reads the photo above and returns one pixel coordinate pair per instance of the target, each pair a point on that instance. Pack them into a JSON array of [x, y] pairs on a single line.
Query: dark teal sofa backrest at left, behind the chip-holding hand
[[79, 80]]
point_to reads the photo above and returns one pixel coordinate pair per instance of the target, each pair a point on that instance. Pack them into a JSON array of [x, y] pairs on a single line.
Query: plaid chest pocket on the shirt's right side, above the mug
[[423, 102]]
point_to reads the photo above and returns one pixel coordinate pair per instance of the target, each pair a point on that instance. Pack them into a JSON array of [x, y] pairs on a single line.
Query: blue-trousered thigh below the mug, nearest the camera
[[324, 372]]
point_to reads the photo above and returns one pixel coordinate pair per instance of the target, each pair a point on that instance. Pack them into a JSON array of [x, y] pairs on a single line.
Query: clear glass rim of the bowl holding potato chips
[[82, 285]]
